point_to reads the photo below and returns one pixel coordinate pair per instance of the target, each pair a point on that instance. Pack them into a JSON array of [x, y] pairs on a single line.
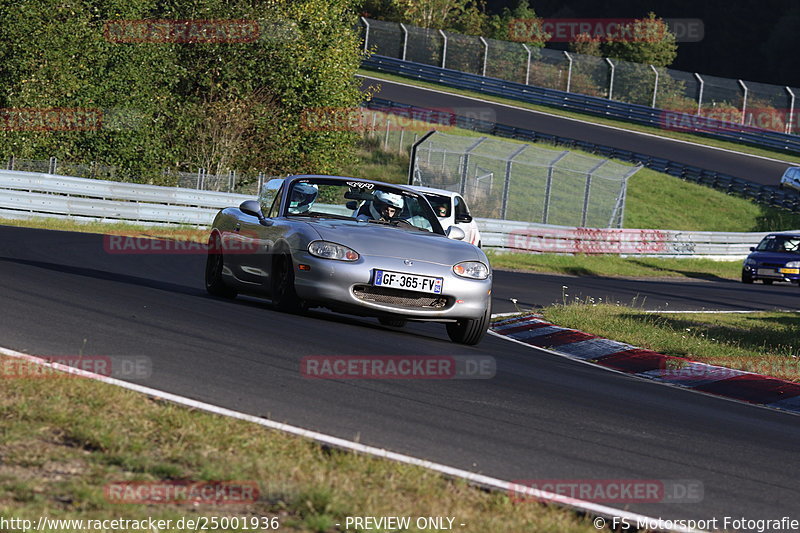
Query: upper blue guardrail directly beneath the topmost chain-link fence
[[592, 105]]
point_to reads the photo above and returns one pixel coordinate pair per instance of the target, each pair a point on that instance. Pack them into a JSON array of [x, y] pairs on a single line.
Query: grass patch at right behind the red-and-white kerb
[[754, 342]]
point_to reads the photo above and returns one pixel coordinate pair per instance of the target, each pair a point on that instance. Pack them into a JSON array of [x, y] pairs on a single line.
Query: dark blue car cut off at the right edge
[[776, 258]]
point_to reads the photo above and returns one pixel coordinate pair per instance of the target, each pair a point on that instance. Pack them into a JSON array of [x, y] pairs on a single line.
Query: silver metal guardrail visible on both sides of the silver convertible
[[30, 194]]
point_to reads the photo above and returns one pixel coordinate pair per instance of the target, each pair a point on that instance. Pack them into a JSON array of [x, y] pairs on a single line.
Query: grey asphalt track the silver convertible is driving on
[[540, 417]]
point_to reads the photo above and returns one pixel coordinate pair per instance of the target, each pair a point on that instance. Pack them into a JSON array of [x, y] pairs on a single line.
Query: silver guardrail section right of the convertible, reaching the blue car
[[541, 238]]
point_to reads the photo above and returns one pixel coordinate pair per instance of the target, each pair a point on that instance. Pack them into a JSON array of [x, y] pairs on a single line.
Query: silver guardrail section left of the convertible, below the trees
[[31, 194]]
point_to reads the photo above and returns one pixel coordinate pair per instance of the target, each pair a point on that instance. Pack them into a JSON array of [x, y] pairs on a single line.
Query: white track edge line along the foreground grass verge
[[337, 442]]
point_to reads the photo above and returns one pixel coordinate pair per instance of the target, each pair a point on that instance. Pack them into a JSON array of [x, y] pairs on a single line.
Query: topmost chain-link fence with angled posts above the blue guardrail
[[749, 103]]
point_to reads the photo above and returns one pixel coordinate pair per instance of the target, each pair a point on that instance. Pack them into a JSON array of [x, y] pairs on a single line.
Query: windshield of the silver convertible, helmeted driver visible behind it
[[360, 200]]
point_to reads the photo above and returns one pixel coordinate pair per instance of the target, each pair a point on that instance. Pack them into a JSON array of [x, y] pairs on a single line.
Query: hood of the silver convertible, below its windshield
[[370, 239]]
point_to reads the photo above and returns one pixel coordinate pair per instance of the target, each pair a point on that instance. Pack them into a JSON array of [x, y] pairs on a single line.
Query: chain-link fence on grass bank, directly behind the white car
[[523, 182]]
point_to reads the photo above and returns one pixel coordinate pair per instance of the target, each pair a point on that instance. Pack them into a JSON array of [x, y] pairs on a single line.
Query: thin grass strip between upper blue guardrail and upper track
[[699, 139]]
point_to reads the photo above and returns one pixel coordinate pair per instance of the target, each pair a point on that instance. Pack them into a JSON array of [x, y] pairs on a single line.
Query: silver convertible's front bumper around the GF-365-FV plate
[[345, 285]]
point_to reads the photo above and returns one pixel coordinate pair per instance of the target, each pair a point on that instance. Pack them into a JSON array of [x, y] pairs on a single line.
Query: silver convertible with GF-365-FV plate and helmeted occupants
[[354, 246]]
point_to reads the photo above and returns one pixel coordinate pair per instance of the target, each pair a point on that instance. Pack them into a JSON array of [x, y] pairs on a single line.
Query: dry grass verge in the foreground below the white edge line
[[63, 440]]
